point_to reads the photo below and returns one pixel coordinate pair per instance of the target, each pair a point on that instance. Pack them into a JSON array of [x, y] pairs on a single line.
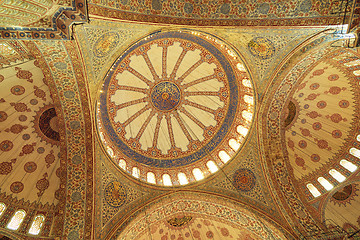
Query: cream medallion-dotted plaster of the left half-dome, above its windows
[[29, 135]]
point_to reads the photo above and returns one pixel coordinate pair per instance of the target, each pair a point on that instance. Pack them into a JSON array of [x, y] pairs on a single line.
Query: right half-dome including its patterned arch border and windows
[[313, 118]]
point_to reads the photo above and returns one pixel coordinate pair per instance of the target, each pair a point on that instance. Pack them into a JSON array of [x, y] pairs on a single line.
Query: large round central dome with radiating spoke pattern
[[173, 99]]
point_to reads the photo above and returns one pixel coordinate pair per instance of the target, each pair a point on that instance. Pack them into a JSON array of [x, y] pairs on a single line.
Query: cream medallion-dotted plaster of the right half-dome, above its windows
[[319, 118]]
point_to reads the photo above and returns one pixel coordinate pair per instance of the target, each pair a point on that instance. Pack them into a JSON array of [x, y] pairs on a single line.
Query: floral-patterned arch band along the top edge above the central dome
[[225, 13]]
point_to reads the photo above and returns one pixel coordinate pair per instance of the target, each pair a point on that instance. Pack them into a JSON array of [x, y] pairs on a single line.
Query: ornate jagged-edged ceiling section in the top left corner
[[40, 19]]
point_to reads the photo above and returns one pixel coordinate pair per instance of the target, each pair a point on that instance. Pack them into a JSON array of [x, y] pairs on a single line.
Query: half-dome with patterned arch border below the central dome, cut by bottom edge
[[182, 216]]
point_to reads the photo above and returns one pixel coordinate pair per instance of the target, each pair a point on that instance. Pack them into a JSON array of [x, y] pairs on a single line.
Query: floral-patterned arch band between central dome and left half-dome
[[75, 215]]
